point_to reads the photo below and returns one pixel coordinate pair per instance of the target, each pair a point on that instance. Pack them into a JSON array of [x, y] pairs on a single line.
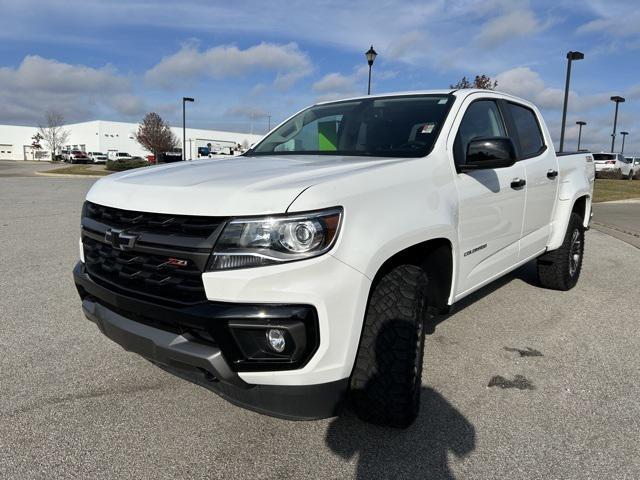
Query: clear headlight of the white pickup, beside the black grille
[[260, 241]]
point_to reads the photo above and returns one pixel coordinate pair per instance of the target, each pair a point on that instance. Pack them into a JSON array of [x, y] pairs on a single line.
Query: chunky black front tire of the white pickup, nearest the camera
[[387, 376]]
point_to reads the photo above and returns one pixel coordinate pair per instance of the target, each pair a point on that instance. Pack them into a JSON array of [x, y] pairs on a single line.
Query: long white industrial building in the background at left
[[104, 136]]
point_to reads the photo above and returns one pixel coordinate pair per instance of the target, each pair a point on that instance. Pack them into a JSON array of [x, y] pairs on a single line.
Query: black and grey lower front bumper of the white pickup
[[203, 363]]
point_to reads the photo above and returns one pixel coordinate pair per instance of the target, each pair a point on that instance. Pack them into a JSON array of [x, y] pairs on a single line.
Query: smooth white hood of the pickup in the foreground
[[233, 186]]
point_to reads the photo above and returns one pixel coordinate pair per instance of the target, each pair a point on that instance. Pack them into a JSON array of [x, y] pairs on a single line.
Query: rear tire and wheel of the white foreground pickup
[[560, 268]]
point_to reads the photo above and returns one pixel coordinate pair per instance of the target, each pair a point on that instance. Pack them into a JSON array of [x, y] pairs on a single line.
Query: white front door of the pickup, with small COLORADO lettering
[[490, 209]]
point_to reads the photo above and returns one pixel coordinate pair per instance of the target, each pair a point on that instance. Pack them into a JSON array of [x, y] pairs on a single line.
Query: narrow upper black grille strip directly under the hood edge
[[160, 223]]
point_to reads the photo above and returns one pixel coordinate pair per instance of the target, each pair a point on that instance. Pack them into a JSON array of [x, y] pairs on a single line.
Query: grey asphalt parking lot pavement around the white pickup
[[564, 369]]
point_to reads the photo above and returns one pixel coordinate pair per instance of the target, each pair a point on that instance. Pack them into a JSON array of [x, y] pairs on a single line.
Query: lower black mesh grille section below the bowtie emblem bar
[[143, 273]]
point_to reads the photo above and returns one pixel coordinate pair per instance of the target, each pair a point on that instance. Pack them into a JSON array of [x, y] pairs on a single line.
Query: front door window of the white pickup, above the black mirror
[[482, 119]]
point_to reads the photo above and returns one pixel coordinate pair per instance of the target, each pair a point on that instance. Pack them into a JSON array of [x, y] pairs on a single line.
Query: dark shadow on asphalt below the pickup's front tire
[[419, 452]]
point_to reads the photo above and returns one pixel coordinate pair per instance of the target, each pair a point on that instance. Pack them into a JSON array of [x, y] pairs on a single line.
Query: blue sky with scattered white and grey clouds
[[245, 60]]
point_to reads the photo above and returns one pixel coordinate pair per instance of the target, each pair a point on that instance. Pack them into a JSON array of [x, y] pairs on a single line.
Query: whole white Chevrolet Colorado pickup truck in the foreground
[[301, 273]]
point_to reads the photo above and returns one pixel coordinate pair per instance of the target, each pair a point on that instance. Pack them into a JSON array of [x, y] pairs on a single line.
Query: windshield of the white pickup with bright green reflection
[[405, 126]]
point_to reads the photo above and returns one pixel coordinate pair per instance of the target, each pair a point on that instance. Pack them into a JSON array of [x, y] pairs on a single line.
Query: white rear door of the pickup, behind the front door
[[541, 173]]
